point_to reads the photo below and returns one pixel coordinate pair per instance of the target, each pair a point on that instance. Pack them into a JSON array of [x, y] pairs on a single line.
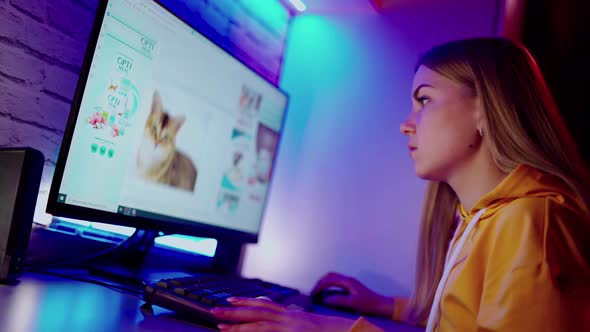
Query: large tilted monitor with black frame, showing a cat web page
[[167, 130]]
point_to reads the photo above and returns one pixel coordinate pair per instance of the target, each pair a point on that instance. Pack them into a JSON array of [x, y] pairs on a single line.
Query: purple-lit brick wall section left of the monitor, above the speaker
[[39, 63]]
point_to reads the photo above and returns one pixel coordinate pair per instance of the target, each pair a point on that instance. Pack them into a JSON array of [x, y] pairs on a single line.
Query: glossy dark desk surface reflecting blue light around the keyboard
[[50, 304]]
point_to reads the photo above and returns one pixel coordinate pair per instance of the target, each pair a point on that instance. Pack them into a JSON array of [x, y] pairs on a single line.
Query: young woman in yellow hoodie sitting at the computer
[[505, 230]]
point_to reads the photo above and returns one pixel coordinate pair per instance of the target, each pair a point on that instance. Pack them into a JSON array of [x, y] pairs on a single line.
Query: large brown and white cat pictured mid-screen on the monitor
[[157, 158]]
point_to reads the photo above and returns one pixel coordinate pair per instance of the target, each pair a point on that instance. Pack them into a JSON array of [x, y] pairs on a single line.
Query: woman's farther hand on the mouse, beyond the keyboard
[[359, 298]]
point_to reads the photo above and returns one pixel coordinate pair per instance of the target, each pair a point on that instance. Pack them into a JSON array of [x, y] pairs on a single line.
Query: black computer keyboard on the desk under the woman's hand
[[194, 296]]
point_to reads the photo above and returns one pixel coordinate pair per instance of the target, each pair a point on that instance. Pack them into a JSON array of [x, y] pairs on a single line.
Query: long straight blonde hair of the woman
[[523, 125]]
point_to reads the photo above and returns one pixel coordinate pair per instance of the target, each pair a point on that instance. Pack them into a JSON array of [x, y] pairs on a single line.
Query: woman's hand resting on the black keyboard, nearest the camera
[[260, 315]]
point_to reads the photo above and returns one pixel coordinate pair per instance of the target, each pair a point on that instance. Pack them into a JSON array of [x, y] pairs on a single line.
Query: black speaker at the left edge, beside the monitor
[[20, 177]]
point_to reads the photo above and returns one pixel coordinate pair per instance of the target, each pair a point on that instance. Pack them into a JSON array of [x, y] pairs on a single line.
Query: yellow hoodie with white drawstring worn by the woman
[[525, 265]]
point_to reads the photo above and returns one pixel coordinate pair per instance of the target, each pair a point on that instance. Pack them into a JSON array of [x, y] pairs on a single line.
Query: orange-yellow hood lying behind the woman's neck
[[523, 181]]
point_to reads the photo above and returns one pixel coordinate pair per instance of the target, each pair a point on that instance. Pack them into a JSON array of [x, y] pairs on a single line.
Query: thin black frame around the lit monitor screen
[[189, 227]]
